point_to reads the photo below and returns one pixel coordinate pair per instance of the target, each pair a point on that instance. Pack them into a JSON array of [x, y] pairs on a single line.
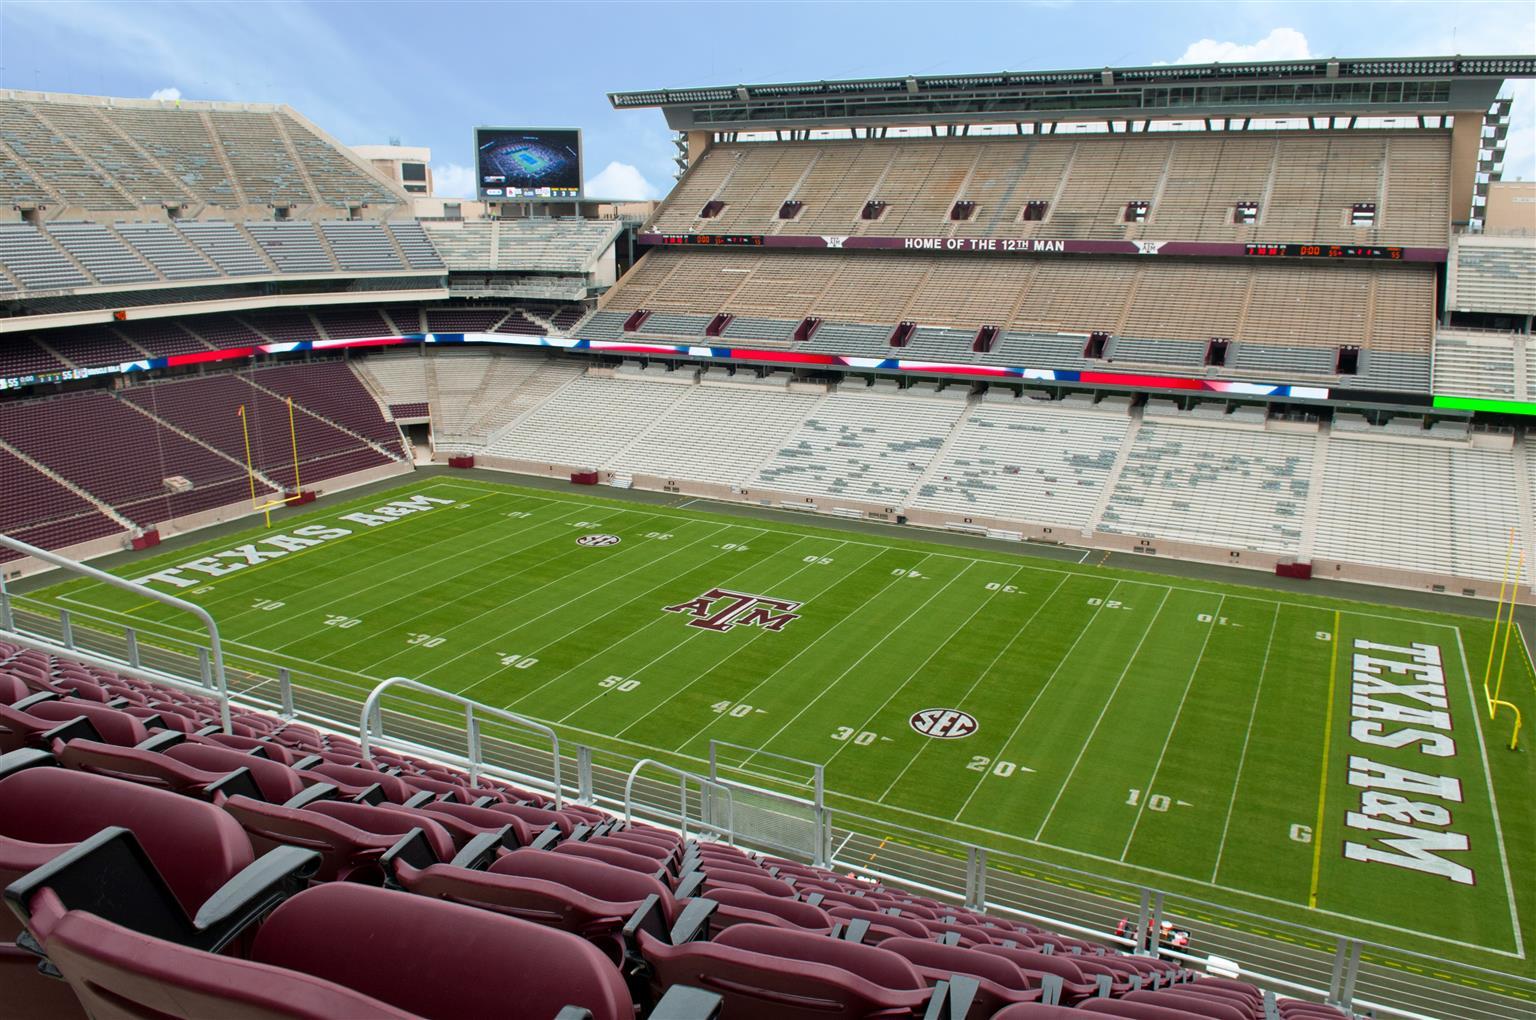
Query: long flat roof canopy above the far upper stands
[[1423, 87]]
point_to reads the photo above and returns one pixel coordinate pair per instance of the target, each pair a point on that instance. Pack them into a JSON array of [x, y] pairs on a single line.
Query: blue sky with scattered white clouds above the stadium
[[426, 75]]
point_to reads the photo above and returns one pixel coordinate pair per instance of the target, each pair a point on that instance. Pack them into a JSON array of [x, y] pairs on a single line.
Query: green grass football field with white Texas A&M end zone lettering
[[1188, 735]]
